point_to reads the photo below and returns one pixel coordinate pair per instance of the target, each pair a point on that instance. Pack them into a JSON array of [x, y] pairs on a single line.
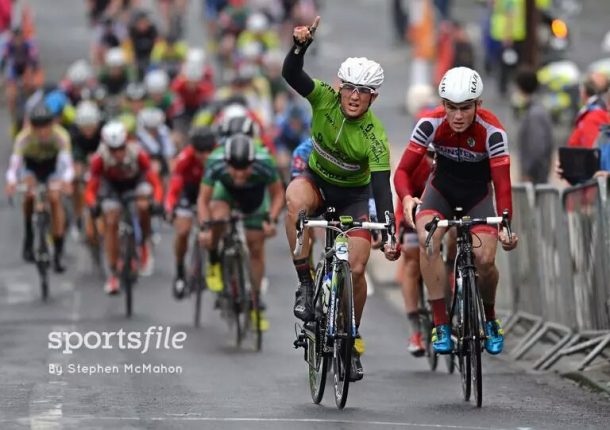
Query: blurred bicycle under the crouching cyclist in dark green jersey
[[239, 302]]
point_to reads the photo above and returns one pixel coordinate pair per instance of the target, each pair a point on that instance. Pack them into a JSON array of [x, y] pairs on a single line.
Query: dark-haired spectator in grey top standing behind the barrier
[[535, 142]]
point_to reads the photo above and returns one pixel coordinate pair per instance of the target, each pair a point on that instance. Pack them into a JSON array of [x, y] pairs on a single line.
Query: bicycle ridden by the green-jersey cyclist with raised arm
[[332, 332]]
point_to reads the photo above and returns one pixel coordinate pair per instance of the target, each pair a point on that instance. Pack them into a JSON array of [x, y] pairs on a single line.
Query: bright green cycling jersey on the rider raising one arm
[[345, 151]]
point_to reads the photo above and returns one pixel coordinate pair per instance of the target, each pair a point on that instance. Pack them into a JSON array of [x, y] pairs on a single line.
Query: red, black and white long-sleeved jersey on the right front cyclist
[[465, 162]]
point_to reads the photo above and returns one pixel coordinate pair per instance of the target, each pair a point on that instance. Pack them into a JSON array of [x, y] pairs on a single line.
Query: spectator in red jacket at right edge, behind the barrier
[[593, 114]]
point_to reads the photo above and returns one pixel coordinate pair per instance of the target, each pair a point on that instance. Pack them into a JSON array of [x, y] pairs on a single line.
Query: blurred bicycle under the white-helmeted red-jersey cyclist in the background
[[130, 235]]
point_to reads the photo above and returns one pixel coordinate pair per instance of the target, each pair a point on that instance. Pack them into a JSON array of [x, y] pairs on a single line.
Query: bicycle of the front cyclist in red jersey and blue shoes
[[467, 315]]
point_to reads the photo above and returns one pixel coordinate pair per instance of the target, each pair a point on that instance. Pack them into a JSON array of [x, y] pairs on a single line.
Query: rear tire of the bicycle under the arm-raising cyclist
[[317, 374]]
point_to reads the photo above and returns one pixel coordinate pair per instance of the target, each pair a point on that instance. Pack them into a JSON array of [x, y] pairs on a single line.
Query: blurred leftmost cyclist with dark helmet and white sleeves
[[42, 153]]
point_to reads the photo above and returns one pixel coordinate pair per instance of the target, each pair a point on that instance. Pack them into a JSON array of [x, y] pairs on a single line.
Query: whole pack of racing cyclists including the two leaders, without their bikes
[[193, 149]]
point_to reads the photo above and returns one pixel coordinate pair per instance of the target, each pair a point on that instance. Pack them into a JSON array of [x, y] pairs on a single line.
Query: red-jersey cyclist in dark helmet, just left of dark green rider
[[182, 195]]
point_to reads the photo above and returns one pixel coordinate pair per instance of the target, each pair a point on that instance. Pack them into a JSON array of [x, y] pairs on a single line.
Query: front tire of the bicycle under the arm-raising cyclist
[[344, 337]]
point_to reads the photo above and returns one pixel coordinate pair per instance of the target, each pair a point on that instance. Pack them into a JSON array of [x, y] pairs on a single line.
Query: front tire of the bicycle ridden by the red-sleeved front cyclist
[[475, 338]]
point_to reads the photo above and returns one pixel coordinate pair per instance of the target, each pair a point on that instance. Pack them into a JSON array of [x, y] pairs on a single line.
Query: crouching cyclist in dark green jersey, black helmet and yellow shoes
[[240, 175]]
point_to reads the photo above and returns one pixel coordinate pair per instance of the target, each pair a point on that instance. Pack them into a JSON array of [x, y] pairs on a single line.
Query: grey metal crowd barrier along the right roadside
[[558, 278]]
